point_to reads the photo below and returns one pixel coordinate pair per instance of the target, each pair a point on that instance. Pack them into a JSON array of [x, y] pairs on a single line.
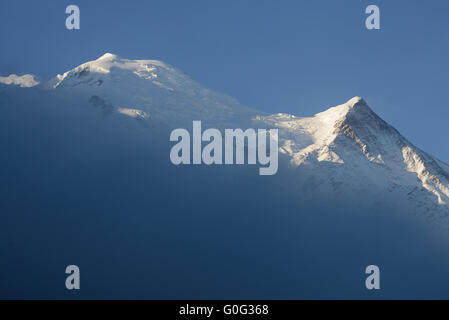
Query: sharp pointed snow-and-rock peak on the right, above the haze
[[351, 147]]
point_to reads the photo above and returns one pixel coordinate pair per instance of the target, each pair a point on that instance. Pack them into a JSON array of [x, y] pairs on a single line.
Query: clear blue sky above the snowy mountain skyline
[[297, 56]]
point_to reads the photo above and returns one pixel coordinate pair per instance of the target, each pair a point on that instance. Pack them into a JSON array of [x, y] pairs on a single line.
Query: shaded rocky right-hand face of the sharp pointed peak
[[382, 144]]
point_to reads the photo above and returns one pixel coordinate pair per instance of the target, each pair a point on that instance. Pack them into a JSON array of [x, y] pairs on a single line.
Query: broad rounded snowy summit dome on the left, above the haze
[[150, 88]]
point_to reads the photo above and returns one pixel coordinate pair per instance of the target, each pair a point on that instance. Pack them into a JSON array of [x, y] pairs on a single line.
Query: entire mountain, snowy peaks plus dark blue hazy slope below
[[86, 171]]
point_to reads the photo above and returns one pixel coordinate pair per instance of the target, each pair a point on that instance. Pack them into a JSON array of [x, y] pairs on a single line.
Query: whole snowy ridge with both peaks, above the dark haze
[[346, 147]]
